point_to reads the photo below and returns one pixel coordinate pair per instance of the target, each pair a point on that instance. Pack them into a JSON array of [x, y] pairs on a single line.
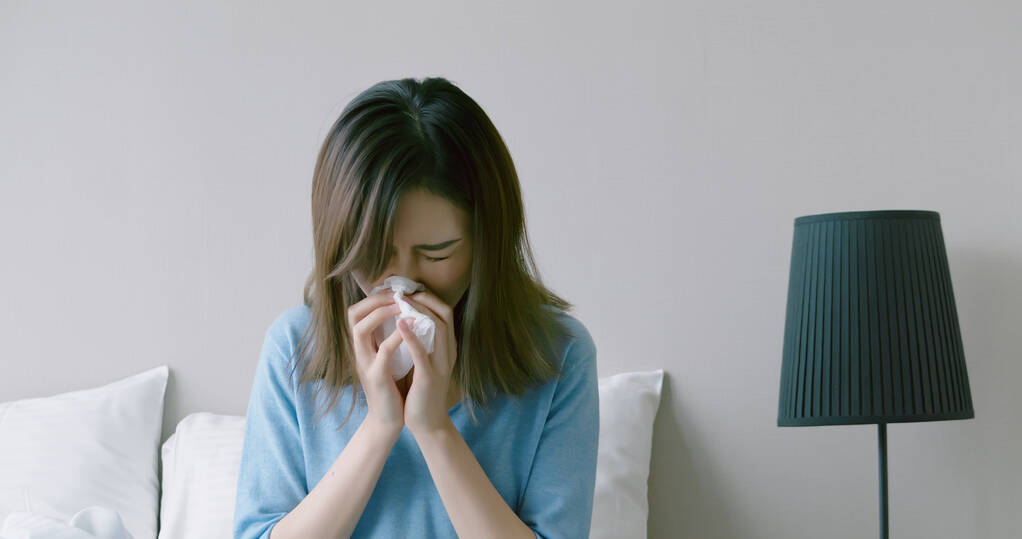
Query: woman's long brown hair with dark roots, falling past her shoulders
[[401, 136]]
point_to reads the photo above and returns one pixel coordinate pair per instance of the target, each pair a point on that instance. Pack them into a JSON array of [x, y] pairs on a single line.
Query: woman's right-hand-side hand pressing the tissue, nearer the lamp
[[426, 405]]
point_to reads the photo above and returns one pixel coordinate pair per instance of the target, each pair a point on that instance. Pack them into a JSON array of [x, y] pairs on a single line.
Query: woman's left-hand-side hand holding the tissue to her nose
[[387, 408]]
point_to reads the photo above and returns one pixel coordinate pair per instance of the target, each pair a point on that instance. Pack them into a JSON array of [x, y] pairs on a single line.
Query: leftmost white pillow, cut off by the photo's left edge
[[90, 447]]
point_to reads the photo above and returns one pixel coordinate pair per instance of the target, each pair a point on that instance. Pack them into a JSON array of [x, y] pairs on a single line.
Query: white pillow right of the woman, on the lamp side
[[629, 403]]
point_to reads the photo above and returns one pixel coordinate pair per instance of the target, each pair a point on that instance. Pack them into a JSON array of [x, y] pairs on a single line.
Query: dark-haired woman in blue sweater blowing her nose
[[414, 181]]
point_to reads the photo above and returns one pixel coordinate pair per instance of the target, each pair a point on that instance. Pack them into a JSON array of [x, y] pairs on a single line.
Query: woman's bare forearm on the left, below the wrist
[[334, 508]]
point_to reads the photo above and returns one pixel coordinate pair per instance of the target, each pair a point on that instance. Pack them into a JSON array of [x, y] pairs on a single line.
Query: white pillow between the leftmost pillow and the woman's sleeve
[[202, 461]]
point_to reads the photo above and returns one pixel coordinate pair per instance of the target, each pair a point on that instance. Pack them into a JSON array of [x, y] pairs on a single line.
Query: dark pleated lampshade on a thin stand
[[871, 330]]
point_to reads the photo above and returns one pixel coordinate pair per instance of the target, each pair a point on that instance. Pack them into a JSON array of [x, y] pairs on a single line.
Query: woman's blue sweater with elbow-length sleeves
[[540, 452]]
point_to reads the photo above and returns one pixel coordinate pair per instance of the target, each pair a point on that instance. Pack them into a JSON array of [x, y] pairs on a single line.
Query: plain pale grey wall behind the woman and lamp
[[156, 168]]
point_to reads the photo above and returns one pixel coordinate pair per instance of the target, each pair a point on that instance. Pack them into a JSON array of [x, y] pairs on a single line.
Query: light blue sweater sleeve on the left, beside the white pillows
[[272, 475]]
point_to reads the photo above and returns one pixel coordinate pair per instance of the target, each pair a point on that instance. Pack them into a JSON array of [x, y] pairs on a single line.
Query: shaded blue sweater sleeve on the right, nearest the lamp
[[558, 502]]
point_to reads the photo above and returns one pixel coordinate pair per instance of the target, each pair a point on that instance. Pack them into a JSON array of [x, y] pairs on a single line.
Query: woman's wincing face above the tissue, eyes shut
[[430, 228]]
